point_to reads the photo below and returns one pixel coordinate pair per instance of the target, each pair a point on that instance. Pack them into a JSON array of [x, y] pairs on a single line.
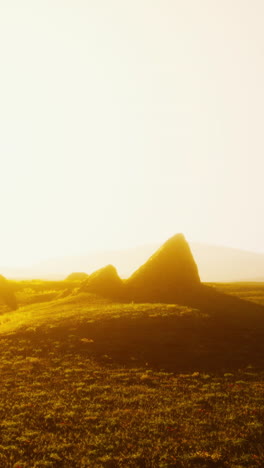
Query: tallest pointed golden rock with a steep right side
[[171, 273]]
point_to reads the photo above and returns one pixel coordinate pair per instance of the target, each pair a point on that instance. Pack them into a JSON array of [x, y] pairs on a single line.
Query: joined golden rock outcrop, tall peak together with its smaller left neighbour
[[170, 275]]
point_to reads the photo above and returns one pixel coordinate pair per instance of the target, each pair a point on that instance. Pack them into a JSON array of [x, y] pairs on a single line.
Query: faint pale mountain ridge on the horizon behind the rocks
[[215, 263]]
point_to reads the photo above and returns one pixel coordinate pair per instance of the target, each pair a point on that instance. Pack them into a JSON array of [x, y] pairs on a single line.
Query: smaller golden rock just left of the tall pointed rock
[[104, 282]]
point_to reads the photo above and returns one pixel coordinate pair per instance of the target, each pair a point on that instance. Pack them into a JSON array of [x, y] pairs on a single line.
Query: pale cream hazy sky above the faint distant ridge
[[124, 122]]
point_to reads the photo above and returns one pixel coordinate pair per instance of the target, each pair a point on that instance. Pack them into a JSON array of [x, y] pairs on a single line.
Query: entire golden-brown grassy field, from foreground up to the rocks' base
[[89, 383]]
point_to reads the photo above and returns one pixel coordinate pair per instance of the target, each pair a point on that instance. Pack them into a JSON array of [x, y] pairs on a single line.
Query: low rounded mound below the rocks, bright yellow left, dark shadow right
[[220, 335]]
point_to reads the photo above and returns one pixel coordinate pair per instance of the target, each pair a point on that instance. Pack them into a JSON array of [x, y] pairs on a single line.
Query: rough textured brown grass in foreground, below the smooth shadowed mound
[[65, 409]]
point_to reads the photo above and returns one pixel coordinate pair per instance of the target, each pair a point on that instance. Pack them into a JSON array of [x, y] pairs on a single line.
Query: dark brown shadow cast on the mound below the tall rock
[[218, 332]]
